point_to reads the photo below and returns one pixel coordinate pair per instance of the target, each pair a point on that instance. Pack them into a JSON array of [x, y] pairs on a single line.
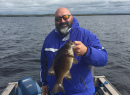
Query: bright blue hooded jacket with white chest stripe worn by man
[[96, 55]]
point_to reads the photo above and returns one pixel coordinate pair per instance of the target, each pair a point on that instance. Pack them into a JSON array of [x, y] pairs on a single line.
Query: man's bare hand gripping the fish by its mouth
[[80, 49]]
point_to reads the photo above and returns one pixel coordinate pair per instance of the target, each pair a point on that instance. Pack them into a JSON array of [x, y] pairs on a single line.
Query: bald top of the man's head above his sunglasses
[[62, 11]]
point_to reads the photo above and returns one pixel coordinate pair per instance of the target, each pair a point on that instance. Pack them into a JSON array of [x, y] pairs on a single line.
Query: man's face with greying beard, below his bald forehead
[[63, 25]]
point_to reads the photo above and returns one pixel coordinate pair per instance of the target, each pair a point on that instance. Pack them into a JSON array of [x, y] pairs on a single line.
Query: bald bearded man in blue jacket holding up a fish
[[88, 52]]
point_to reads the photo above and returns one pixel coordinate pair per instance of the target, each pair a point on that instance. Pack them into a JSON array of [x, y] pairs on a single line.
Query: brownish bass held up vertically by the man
[[61, 66]]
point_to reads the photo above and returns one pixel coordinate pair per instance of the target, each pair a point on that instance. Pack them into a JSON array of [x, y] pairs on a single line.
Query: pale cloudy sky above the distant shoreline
[[24, 7]]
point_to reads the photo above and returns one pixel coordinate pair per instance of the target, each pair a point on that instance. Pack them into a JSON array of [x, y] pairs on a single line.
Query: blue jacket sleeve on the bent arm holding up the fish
[[96, 55]]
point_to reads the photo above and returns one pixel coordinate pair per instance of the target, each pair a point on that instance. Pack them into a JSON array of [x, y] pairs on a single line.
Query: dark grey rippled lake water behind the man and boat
[[21, 40]]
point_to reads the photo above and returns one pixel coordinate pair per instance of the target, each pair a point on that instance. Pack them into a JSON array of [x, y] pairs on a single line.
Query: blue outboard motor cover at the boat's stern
[[27, 86]]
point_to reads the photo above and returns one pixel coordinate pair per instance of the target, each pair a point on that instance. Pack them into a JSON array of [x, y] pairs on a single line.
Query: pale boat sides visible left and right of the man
[[99, 82]]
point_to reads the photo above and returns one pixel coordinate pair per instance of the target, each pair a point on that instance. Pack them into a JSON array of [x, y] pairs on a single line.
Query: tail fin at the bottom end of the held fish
[[58, 88]]
